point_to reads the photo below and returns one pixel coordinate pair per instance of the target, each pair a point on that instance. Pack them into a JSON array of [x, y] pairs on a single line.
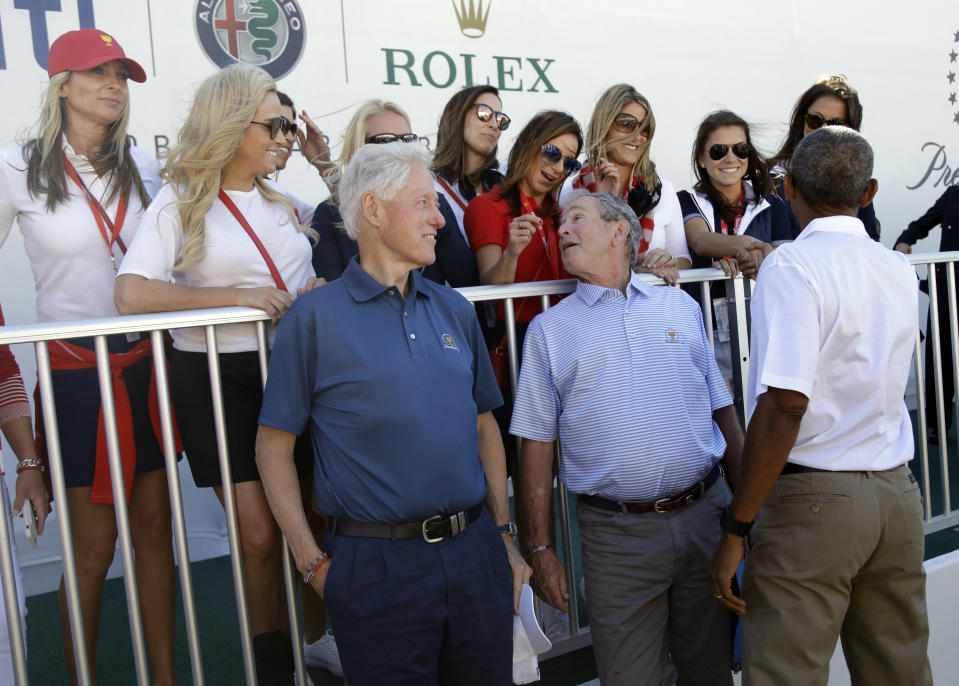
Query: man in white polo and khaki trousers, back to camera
[[837, 546]]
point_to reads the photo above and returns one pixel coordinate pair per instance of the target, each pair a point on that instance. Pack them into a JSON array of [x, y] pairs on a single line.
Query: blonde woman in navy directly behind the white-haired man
[[376, 122]]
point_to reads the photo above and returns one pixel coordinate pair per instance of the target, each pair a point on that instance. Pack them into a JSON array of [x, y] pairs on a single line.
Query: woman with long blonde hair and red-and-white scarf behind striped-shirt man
[[617, 147]]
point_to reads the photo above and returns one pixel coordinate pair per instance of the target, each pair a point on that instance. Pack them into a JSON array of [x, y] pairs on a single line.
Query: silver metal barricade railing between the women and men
[[157, 324]]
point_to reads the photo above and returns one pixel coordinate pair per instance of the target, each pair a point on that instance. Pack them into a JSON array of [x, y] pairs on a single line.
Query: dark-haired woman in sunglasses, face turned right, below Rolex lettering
[[465, 161]]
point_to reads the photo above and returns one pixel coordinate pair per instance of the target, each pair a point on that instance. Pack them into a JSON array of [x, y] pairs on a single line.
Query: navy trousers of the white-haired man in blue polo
[[412, 612]]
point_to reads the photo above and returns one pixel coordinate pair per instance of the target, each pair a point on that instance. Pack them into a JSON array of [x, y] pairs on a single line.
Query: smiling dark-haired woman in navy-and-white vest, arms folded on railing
[[732, 215]]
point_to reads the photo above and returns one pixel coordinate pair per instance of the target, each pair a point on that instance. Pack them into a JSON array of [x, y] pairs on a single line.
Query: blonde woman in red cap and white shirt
[[77, 190]]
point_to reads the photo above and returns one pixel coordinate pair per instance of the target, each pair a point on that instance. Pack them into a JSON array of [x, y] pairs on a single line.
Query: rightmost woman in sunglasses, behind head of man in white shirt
[[831, 101]]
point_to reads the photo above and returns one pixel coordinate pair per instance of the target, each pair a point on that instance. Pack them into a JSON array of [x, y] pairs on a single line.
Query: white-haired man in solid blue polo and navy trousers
[[390, 373]]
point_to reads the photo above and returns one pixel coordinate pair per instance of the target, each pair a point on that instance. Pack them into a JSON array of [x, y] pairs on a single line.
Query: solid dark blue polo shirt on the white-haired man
[[391, 390]]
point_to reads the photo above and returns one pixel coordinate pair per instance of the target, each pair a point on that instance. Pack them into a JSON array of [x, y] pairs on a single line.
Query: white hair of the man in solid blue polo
[[379, 169]]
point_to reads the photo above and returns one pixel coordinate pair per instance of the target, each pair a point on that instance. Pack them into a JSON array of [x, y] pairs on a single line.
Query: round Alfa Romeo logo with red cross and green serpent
[[266, 33]]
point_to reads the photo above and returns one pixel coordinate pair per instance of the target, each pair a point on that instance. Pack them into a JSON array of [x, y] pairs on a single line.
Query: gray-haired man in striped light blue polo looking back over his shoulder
[[622, 372]]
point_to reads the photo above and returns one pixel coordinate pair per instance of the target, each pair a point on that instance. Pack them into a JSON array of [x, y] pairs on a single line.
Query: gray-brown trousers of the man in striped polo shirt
[[648, 593]]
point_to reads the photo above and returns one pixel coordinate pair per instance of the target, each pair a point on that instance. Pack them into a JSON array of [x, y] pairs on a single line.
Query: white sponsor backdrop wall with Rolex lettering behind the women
[[687, 56]]
